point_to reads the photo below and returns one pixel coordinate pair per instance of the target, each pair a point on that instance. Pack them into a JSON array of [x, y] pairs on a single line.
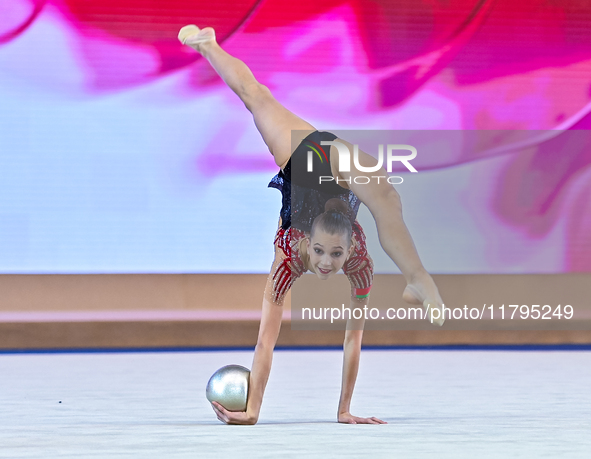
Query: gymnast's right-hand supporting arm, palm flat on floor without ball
[[352, 351]]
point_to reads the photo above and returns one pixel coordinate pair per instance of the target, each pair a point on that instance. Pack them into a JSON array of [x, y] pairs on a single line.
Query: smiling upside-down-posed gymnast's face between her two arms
[[328, 252]]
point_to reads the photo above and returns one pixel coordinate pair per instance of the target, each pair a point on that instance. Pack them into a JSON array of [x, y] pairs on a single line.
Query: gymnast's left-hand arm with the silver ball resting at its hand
[[263, 354]]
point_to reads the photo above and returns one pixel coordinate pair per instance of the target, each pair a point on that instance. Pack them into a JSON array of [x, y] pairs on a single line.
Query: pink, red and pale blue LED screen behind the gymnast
[[122, 151]]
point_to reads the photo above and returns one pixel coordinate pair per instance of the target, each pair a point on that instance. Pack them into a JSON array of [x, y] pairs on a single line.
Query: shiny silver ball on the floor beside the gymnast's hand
[[229, 387]]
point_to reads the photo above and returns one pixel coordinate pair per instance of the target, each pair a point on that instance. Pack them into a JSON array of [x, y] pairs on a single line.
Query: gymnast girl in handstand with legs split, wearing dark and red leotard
[[317, 229]]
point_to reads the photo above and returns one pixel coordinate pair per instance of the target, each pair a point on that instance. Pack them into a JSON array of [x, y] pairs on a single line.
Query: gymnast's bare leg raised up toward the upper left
[[273, 120]]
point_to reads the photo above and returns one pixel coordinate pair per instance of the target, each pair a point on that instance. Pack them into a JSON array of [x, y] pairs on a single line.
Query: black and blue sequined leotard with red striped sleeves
[[303, 199]]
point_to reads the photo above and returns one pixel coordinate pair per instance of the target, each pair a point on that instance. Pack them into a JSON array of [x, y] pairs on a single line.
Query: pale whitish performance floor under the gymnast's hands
[[444, 404]]
